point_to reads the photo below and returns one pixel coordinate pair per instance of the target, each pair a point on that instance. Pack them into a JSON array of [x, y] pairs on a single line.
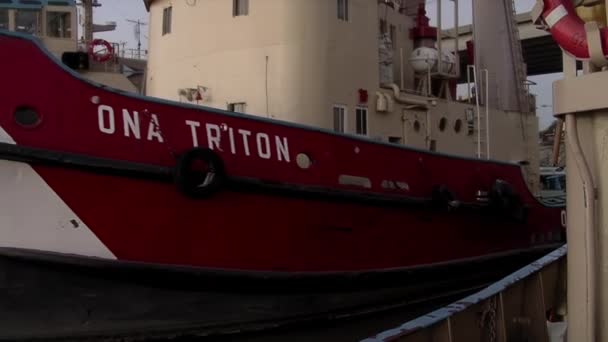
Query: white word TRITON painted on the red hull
[[237, 140]]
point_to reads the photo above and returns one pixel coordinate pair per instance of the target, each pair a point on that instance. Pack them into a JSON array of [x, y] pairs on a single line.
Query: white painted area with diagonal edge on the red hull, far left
[[33, 216]]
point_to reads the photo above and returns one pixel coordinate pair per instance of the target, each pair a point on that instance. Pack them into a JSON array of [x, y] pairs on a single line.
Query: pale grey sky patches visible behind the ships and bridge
[[121, 10]]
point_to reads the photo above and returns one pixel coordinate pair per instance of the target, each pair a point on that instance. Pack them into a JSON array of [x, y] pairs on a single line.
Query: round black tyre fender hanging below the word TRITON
[[199, 173]]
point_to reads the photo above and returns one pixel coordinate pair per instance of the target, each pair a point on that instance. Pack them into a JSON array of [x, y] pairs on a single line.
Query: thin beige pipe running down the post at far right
[[589, 190]]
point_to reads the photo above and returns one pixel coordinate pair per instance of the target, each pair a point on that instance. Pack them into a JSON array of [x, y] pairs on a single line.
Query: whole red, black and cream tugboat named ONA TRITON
[[172, 214]]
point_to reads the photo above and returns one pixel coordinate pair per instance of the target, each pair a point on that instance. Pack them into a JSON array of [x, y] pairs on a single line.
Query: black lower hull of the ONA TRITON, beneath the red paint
[[43, 298]]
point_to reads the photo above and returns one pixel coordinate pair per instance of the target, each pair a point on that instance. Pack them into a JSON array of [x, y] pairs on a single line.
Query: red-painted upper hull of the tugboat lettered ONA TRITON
[[147, 220]]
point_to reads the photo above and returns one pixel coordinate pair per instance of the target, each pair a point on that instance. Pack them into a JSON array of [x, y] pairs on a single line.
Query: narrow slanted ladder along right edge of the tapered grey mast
[[518, 58]]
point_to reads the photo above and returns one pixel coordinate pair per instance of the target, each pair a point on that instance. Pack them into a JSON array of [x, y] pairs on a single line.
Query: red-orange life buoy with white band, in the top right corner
[[568, 29]]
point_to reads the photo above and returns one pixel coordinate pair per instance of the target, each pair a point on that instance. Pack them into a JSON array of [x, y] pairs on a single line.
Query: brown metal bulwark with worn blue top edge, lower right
[[520, 307]]
